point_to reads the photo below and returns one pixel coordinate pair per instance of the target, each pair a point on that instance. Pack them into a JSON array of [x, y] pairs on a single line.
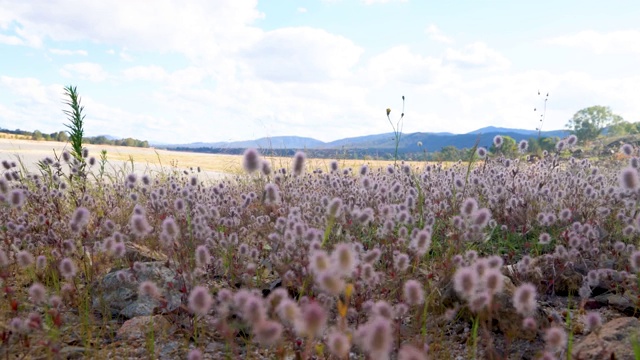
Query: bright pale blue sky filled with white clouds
[[181, 71]]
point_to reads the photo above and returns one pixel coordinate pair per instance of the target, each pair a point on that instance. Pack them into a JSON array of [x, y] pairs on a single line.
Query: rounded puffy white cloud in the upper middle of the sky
[[302, 54]]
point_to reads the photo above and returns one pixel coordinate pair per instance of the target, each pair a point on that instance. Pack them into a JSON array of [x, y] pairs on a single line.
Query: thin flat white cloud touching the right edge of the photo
[[615, 42]]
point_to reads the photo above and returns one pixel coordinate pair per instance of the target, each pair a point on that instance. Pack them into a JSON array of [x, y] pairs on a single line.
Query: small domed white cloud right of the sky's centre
[[476, 55]]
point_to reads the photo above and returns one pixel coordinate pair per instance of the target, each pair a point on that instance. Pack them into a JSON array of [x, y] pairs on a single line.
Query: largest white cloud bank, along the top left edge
[[142, 25]]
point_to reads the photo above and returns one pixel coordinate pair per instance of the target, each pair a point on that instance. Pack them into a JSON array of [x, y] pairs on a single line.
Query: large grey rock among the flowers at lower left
[[115, 297]]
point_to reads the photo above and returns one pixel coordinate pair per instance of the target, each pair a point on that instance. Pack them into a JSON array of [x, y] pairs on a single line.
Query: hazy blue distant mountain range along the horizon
[[408, 143]]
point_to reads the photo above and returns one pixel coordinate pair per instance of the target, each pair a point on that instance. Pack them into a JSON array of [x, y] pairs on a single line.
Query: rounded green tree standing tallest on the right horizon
[[587, 124]]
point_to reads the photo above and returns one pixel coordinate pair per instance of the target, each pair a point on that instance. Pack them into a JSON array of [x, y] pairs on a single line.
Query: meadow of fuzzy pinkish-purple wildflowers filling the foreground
[[489, 258]]
